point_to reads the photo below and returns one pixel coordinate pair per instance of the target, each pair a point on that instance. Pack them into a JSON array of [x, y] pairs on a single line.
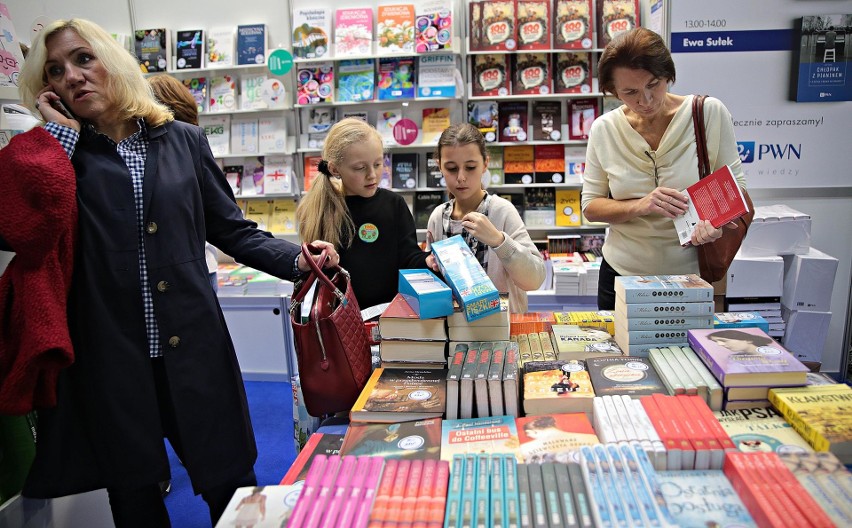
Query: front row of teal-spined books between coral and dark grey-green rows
[[483, 491]]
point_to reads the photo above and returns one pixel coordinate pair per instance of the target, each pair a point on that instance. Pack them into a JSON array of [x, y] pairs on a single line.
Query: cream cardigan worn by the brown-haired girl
[[515, 266]]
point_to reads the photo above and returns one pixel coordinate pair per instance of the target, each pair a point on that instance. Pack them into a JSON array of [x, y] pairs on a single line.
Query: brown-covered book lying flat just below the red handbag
[[403, 395]]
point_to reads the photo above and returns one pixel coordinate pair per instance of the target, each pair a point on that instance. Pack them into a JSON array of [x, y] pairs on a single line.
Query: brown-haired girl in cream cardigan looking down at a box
[[490, 225]]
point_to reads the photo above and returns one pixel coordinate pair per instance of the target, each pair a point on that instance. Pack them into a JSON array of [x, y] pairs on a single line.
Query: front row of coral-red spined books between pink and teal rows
[[411, 493]]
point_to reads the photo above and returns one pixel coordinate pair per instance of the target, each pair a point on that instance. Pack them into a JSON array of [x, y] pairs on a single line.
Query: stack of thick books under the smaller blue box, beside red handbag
[[408, 339]]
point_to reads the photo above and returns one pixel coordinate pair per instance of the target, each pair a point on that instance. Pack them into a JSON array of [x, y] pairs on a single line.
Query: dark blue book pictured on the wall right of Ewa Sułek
[[821, 61]]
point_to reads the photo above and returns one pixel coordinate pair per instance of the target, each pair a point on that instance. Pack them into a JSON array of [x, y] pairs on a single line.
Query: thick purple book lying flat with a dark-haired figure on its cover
[[746, 357]]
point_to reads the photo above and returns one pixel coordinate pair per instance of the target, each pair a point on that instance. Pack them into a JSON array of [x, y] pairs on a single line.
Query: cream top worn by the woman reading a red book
[[617, 163]]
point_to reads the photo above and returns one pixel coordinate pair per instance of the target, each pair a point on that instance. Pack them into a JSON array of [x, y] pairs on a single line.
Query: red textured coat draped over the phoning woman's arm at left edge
[[36, 176]]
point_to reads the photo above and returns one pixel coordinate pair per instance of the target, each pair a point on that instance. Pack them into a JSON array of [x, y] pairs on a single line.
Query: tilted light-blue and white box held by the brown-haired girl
[[471, 285]]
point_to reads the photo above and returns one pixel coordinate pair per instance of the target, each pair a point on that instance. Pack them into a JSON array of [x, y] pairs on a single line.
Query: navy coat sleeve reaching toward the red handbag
[[229, 231]]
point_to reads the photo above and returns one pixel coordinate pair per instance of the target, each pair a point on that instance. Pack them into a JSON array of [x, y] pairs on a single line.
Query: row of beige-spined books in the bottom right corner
[[826, 479]]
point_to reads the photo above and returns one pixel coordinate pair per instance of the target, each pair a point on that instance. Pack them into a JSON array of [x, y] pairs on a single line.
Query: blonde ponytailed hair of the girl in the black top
[[322, 214]]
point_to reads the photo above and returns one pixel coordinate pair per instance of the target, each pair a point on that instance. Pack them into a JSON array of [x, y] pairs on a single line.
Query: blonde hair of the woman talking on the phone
[[126, 87]]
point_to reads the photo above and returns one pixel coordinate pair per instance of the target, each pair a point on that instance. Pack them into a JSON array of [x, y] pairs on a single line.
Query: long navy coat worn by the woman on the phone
[[105, 430]]
